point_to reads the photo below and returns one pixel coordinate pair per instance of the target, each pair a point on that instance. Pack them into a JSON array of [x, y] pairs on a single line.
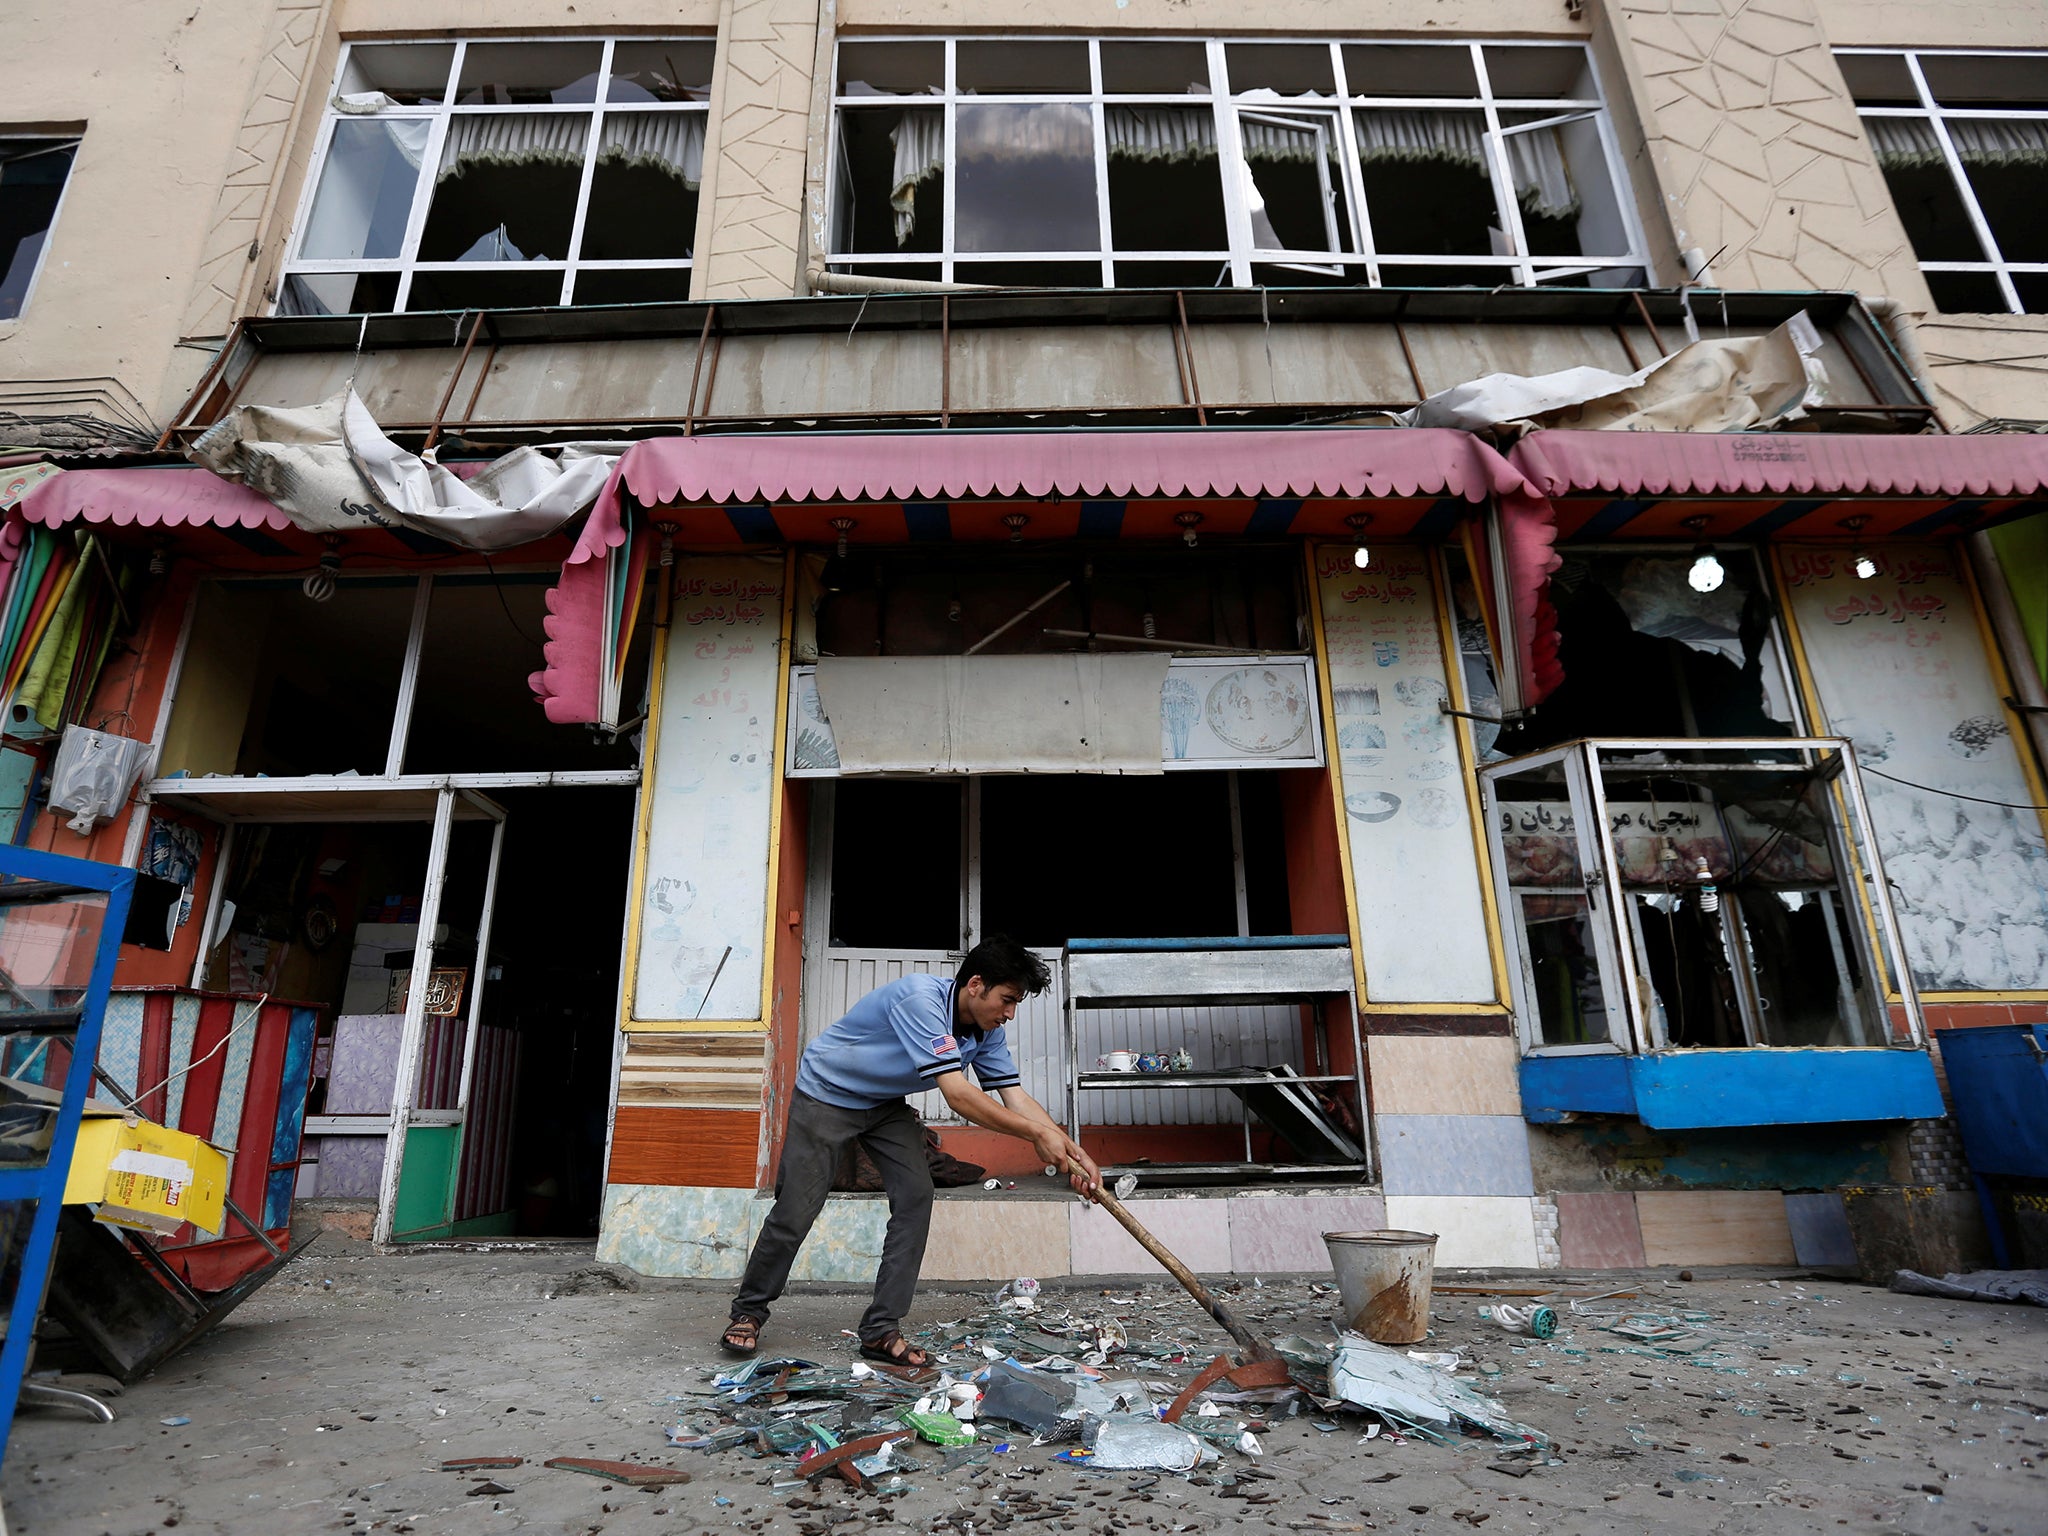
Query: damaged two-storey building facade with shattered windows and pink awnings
[[1469, 574]]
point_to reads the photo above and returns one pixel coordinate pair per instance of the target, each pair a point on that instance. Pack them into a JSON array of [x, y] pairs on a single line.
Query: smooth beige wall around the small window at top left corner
[[161, 93]]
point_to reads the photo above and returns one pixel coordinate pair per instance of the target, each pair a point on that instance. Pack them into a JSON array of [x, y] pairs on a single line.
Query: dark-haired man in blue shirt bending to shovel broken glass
[[853, 1082]]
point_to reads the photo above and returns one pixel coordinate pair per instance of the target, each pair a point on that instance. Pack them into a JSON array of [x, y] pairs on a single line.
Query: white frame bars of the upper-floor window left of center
[[439, 114]]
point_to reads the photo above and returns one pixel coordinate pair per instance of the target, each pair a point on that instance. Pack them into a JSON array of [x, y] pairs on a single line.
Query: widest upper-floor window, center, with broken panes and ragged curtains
[[1195, 163]]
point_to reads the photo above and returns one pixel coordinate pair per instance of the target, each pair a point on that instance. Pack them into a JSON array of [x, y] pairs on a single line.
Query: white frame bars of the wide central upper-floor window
[[1361, 259]]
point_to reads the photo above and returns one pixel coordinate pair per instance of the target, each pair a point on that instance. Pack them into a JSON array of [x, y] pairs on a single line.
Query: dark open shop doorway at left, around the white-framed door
[[327, 912]]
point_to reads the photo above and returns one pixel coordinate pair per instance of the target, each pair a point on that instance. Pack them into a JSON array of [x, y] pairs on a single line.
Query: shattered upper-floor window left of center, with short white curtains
[[505, 175]]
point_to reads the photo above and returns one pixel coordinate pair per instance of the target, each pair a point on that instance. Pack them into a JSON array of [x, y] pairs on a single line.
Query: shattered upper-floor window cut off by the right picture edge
[[1963, 142]]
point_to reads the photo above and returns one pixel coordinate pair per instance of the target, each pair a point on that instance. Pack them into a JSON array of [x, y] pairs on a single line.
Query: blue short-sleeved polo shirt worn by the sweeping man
[[900, 1041]]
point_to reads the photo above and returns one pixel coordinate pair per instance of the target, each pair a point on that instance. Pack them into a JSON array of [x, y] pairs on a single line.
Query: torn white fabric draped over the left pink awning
[[331, 470]]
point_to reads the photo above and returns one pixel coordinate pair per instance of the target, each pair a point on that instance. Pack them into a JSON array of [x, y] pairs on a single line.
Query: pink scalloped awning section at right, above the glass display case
[[1785, 464]]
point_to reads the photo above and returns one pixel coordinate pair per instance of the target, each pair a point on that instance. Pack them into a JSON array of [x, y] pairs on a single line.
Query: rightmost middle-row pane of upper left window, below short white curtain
[[644, 187]]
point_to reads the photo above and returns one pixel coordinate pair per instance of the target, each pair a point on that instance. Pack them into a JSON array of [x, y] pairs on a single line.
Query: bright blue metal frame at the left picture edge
[[46, 1187]]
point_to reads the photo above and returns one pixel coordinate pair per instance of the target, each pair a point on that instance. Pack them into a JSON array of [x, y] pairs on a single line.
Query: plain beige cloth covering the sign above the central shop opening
[[994, 714]]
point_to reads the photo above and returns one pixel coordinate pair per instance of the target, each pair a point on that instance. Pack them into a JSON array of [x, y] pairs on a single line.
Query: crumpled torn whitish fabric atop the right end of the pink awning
[[1715, 386]]
